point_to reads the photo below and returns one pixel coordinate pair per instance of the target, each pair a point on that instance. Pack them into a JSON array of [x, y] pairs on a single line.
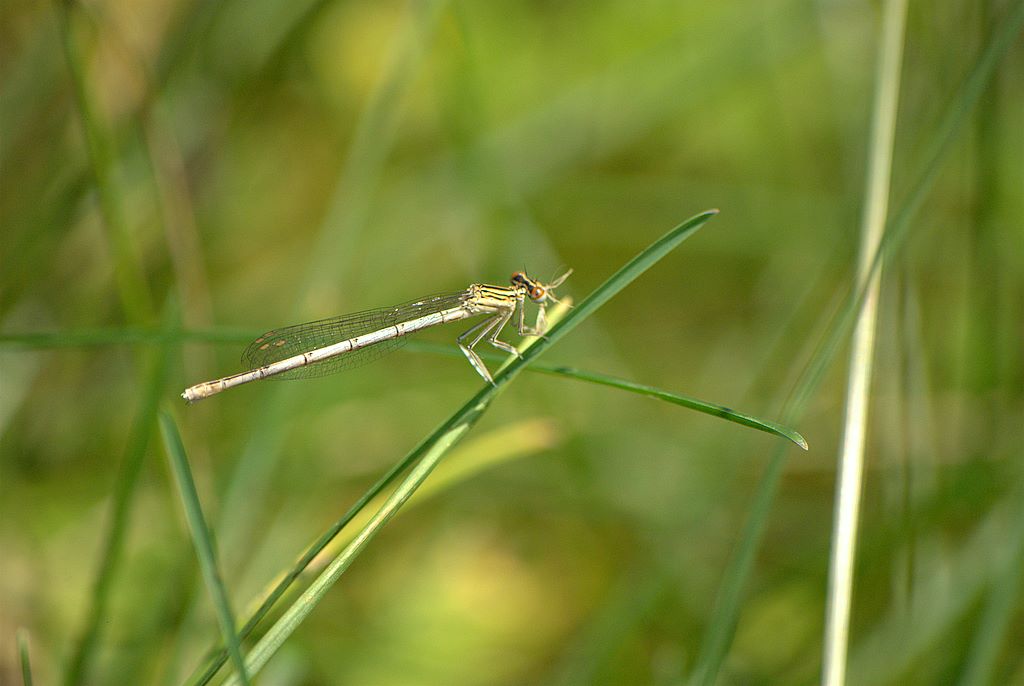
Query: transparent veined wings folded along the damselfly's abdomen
[[283, 344]]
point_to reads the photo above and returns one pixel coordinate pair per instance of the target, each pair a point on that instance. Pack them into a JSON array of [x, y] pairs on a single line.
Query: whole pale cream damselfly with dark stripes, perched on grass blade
[[326, 347]]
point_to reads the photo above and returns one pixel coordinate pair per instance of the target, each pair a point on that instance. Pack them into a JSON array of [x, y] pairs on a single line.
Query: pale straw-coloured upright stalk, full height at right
[[851, 462]]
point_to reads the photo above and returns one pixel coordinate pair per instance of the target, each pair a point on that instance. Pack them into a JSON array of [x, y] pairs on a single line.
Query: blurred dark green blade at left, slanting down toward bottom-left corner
[[124, 496]]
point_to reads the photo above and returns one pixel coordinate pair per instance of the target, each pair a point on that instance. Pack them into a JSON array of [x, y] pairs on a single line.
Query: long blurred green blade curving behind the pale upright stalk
[[738, 572]]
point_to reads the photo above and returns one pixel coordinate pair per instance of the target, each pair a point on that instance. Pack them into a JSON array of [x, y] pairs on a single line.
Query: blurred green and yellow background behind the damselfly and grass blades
[[261, 163]]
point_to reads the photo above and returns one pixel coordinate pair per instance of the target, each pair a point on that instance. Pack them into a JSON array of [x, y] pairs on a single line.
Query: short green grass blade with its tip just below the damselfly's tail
[[201, 536]]
